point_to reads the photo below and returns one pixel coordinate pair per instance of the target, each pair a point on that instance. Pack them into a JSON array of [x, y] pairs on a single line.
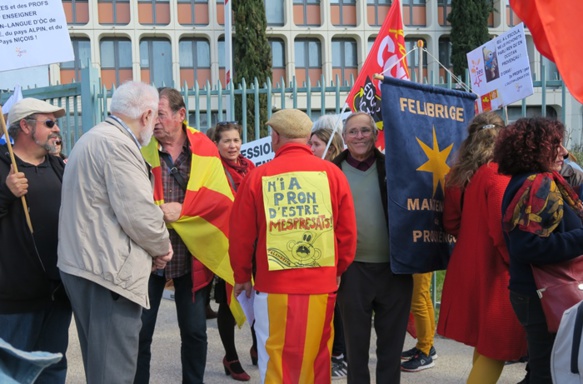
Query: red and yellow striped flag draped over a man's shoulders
[[204, 221]]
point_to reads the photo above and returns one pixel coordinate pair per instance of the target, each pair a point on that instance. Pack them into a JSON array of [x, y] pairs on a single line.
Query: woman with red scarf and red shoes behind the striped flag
[[227, 136]]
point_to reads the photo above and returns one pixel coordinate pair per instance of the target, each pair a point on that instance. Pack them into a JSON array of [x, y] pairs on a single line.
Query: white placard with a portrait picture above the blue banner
[[500, 70]]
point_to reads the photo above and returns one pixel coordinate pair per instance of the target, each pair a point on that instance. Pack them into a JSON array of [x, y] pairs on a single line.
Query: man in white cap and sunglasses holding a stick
[[35, 312]]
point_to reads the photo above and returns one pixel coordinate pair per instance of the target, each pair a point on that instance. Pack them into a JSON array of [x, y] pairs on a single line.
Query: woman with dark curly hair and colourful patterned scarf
[[541, 222]]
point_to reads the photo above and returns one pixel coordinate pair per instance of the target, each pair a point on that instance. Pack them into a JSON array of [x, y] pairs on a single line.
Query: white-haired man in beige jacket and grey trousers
[[111, 234]]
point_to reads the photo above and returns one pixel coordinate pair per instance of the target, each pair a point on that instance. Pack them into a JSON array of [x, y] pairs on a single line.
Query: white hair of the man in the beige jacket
[[133, 98]]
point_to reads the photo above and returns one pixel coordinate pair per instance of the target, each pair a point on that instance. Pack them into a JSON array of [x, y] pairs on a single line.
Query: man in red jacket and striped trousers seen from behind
[[297, 239]]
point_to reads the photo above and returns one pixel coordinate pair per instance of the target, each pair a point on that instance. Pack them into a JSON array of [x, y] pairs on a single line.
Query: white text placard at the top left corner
[[33, 33]]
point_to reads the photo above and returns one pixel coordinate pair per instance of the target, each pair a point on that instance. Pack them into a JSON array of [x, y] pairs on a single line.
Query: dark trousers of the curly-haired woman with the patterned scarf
[[530, 314]]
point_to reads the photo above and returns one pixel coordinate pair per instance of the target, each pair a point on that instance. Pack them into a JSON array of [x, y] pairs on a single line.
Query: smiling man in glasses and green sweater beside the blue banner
[[369, 286]]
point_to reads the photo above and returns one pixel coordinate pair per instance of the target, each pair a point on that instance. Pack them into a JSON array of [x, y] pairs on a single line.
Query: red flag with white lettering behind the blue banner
[[388, 49]]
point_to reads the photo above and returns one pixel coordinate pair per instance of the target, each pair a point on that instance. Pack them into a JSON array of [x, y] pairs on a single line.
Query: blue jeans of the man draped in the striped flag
[[191, 315]]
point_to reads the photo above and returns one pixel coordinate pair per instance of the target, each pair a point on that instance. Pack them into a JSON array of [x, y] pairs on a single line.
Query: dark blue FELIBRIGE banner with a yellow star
[[424, 127]]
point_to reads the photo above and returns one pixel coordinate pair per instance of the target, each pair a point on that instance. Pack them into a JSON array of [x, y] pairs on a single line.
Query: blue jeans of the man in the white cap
[[43, 330]]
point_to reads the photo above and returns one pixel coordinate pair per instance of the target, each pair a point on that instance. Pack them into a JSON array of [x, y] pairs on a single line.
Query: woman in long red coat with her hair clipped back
[[475, 308]]
